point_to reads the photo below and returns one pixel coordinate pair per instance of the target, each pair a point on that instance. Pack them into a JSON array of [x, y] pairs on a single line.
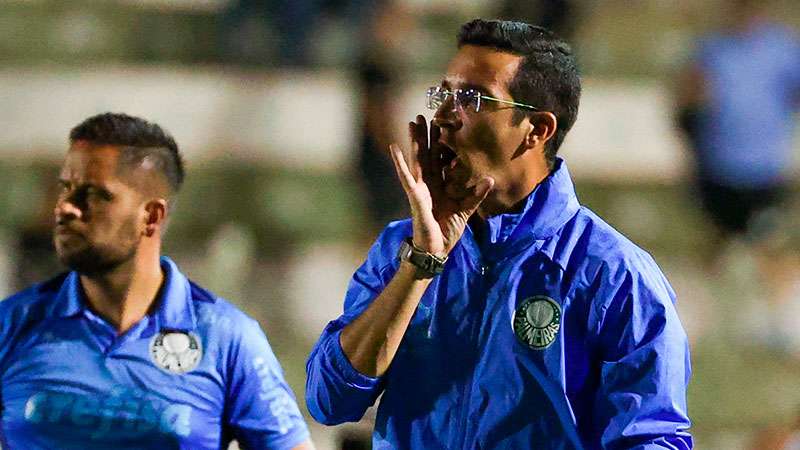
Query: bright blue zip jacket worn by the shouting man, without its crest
[[615, 377]]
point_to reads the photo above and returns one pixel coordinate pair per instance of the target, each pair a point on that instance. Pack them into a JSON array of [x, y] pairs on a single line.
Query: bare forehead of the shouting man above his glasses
[[482, 66]]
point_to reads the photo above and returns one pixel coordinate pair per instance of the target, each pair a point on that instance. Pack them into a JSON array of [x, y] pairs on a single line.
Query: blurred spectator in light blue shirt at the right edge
[[736, 103]]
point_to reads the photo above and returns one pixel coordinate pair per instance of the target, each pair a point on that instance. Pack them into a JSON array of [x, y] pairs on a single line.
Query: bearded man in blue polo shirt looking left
[[124, 352]]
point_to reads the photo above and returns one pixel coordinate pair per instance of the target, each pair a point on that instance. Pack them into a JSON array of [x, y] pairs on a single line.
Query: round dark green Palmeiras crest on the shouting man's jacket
[[536, 321]]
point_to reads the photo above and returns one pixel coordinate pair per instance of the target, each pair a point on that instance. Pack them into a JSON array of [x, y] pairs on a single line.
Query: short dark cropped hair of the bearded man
[[138, 140]]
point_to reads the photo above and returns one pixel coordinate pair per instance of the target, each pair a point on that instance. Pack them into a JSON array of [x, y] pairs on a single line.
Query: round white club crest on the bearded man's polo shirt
[[176, 351]]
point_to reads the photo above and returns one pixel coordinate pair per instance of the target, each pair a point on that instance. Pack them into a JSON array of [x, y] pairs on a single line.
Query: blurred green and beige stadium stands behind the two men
[[269, 103]]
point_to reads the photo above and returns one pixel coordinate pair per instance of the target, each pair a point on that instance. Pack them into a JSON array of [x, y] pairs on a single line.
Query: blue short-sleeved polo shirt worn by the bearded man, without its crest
[[67, 381]]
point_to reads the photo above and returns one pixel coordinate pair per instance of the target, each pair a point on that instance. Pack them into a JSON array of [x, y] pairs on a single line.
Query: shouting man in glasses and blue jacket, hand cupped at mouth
[[503, 314]]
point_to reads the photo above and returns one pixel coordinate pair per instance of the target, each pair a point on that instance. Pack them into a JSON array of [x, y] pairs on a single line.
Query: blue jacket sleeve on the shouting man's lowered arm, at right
[[645, 368]]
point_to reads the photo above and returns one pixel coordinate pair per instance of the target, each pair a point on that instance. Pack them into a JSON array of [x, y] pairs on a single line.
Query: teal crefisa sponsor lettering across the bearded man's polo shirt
[[123, 413]]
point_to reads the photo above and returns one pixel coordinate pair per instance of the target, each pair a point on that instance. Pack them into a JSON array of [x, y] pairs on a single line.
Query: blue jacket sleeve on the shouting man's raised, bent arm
[[335, 391]]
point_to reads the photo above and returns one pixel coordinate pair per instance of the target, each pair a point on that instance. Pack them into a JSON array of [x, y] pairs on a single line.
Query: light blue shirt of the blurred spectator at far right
[[752, 87]]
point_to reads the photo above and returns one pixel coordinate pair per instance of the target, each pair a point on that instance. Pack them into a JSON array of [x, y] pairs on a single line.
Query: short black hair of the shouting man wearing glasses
[[547, 77]]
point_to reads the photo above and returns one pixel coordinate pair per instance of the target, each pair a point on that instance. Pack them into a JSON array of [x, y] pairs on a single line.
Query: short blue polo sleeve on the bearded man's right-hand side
[[263, 412]]
